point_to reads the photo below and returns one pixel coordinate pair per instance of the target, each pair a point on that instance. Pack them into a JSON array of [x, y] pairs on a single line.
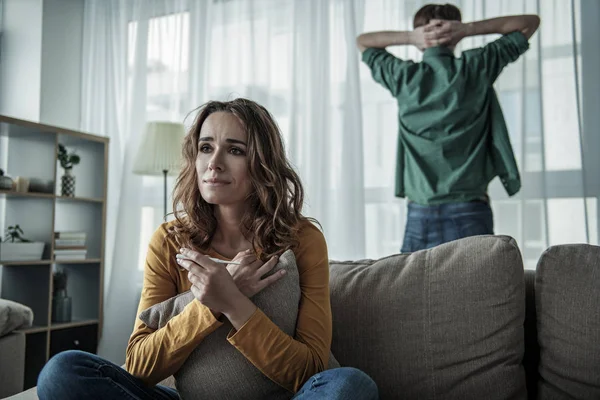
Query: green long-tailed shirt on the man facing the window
[[448, 116]]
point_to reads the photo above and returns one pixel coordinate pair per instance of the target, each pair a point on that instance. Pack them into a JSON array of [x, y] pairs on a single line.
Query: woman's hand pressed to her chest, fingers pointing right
[[247, 275]]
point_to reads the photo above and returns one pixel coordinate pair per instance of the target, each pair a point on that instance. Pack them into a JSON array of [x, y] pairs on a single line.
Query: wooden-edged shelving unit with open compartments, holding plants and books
[[29, 149]]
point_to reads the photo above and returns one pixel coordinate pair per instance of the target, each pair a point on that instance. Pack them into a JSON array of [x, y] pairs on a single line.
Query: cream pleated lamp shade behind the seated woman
[[160, 149]]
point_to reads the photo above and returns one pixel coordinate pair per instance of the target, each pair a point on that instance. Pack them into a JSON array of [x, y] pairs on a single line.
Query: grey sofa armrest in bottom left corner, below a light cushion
[[12, 363]]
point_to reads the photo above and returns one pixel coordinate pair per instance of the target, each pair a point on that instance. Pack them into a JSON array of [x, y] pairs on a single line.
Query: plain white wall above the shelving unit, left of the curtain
[[40, 65]]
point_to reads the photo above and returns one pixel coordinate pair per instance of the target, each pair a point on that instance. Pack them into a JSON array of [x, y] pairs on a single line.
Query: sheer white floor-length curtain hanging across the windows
[[159, 60]]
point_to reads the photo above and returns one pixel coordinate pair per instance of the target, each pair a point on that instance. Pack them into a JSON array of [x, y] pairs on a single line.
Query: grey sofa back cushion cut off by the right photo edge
[[568, 314]]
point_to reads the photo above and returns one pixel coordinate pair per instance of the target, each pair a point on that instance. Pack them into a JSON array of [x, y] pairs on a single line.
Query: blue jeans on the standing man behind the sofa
[[429, 226]]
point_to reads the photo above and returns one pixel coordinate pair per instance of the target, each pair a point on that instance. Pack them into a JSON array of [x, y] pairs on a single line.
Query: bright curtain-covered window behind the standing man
[[543, 127]]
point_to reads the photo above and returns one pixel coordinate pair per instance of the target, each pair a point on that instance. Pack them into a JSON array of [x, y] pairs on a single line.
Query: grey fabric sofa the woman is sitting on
[[465, 321]]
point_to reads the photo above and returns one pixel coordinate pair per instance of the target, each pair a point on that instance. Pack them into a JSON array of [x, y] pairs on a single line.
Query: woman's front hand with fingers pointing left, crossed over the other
[[212, 285]]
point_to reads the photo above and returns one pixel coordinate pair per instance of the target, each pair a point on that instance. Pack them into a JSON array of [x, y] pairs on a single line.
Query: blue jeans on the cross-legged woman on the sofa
[[78, 375]]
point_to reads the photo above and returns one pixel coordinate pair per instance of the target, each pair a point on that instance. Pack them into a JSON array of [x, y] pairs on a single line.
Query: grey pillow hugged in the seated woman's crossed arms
[[216, 369]]
